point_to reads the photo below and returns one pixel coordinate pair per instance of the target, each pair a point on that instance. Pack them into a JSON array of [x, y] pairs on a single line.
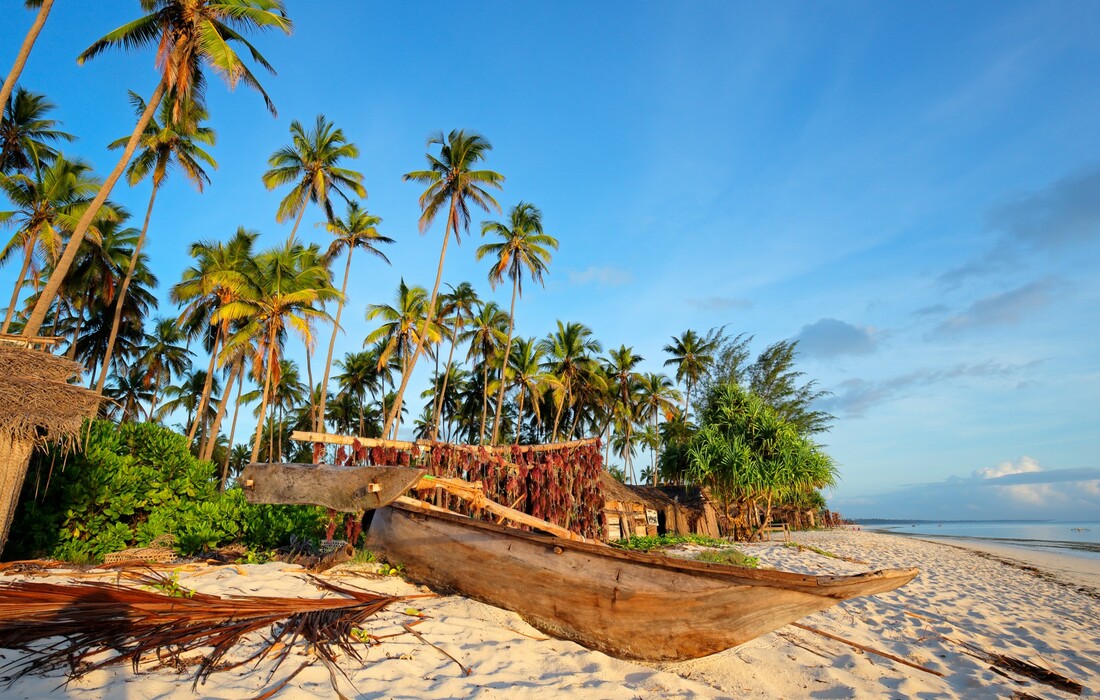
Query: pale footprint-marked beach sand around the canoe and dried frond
[[989, 603]]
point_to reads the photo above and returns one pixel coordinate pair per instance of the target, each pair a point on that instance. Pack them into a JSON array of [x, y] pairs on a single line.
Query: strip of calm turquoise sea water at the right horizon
[[1077, 539]]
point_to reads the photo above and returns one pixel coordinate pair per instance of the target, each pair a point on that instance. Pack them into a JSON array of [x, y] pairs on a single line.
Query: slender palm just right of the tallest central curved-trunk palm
[[524, 246]]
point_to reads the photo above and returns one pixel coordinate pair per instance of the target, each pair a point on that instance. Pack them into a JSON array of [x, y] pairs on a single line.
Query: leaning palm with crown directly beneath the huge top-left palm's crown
[[174, 139]]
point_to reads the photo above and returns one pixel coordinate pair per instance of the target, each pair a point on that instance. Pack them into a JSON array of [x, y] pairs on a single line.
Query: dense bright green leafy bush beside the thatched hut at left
[[134, 483]]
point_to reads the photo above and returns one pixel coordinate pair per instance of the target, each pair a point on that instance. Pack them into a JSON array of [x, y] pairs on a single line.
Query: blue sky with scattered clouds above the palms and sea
[[912, 191]]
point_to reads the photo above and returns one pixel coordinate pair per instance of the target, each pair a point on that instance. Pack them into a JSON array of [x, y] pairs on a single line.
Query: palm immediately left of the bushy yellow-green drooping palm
[[219, 278]]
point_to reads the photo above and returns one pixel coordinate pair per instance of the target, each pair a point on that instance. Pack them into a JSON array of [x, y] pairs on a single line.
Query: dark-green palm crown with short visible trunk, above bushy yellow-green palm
[[311, 163]]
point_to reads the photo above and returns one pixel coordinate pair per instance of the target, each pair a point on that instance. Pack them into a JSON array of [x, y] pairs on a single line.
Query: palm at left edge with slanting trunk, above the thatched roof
[[48, 206]]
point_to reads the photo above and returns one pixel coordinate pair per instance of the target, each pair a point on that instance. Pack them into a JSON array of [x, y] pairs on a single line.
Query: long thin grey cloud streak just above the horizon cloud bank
[[855, 397]]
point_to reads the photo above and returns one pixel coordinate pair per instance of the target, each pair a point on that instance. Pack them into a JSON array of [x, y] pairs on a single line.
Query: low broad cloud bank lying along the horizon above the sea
[[1011, 489]]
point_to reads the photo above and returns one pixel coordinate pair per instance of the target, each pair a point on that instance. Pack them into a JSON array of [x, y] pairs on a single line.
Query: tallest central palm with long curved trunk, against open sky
[[453, 183]]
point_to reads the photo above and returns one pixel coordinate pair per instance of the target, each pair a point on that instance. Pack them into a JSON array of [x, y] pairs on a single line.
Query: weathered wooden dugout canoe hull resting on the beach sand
[[624, 604]]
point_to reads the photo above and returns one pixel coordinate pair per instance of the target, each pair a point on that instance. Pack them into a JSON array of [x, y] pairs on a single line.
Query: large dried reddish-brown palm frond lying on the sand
[[131, 624]]
